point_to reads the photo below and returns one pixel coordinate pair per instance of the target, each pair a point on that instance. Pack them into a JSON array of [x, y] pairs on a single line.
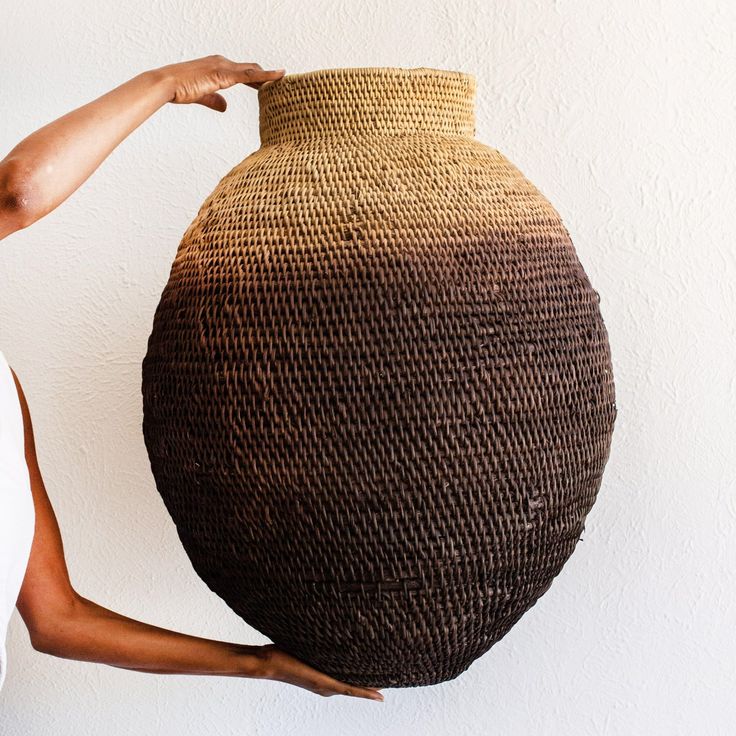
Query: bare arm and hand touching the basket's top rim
[[50, 164]]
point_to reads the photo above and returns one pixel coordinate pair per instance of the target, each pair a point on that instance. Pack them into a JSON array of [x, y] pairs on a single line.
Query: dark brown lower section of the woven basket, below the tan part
[[381, 458]]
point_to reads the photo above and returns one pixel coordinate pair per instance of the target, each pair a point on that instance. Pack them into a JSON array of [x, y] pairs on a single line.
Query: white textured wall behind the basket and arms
[[623, 114]]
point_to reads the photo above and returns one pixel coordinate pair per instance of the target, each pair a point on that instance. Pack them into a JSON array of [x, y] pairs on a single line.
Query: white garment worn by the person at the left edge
[[16, 504]]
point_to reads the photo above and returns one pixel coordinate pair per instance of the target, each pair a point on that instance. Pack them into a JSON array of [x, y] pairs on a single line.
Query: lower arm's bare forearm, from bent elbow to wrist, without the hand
[[91, 633]]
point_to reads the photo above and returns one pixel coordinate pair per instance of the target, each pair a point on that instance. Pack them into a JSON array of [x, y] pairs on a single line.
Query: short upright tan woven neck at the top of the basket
[[369, 100]]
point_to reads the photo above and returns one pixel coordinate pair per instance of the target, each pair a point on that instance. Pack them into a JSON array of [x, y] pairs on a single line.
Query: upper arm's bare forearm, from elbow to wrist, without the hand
[[51, 163]]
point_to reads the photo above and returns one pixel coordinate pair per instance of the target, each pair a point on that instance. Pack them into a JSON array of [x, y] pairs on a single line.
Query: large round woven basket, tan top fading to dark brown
[[378, 394]]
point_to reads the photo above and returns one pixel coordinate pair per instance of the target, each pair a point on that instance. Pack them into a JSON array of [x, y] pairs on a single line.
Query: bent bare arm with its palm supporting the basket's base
[[63, 623]]
